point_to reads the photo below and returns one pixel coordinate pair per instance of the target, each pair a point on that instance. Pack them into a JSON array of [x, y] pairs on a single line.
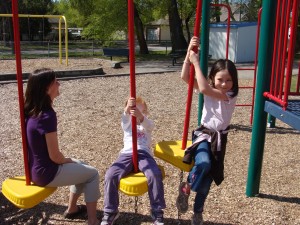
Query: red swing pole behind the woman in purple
[[20, 85]]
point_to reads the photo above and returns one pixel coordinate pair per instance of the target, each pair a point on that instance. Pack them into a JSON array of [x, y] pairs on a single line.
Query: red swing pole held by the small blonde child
[[132, 79]]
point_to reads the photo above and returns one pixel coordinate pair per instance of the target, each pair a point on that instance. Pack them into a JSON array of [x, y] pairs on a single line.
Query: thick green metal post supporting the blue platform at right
[[262, 85]]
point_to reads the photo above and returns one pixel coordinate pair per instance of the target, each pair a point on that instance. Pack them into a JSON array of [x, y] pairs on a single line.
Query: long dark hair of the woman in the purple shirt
[[36, 97]]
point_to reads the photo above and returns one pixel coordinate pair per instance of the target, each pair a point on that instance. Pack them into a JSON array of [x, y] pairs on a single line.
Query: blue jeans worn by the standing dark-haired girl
[[199, 177]]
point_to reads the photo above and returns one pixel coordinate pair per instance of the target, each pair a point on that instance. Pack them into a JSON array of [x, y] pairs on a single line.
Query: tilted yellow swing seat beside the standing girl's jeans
[[171, 152]]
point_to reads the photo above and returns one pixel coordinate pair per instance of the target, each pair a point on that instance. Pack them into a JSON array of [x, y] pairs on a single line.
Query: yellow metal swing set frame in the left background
[[60, 18]]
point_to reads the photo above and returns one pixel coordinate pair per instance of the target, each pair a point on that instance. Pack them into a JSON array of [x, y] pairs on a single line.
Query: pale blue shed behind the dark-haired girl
[[242, 41]]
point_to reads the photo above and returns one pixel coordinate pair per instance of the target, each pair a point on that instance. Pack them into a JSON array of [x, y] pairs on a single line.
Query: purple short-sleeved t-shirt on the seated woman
[[42, 168]]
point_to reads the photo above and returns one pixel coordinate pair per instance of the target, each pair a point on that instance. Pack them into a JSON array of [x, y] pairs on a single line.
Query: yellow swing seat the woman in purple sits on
[[22, 195]]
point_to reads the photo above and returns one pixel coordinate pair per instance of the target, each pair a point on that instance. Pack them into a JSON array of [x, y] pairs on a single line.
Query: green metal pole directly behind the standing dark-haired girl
[[204, 49]]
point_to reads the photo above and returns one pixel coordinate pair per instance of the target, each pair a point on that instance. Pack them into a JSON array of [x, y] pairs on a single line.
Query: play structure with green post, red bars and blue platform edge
[[274, 76]]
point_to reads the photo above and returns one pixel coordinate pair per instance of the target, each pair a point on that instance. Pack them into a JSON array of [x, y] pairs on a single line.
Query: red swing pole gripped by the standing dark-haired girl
[[191, 80]]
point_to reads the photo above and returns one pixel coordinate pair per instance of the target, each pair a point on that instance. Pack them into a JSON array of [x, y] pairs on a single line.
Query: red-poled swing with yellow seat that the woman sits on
[[19, 190]]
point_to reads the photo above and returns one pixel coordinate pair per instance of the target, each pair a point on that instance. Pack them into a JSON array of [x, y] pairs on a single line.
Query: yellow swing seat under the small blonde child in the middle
[[135, 184]]
